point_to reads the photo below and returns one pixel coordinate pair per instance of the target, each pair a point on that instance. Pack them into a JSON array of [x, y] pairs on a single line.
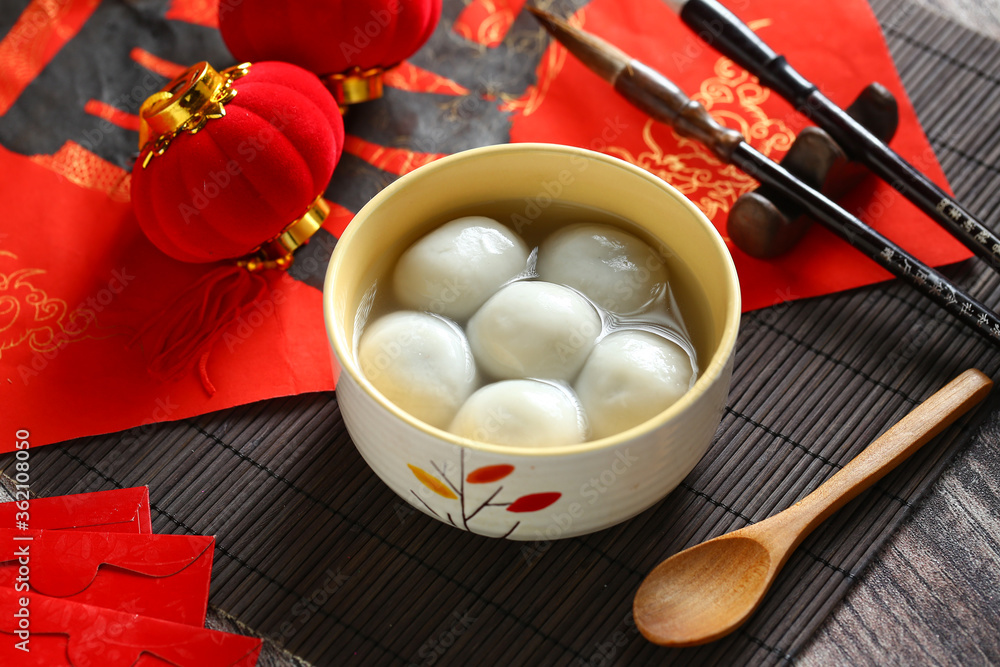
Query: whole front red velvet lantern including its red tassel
[[232, 166]]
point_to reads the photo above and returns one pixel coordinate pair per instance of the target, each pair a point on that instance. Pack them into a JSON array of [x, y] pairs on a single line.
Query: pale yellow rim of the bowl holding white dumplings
[[343, 349]]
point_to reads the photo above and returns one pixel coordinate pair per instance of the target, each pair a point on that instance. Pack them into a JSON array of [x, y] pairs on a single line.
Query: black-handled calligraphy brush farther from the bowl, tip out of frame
[[734, 39]]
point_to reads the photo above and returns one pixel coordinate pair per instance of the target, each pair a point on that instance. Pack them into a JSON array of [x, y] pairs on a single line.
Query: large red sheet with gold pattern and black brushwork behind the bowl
[[77, 276]]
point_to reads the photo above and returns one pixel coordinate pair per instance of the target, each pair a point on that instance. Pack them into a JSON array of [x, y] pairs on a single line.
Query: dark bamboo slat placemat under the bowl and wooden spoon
[[317, 554]]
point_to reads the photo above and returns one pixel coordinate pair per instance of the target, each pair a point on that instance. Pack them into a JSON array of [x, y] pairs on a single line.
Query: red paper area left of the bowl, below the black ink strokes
[[71, 297]]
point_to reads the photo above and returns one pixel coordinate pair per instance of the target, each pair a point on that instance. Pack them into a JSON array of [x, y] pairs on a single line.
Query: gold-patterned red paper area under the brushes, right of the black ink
[[837, 45]]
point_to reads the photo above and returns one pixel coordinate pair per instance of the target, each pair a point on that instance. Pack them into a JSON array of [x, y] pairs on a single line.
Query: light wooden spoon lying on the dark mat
[[705, 592]]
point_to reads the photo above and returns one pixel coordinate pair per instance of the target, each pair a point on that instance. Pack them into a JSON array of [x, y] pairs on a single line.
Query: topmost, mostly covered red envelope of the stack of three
[[116, 511]]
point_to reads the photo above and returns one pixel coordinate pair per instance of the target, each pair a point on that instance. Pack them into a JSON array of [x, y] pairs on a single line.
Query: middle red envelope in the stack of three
[[163, 576]]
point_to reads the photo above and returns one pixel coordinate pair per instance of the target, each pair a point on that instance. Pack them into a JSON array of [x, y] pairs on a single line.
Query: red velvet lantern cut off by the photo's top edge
[[348, 43]]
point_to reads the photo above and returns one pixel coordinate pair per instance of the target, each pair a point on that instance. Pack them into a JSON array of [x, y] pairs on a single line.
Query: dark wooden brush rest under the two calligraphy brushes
[[766, 224]]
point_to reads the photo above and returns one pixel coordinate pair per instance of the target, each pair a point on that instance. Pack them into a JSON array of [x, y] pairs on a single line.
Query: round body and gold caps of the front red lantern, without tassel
[[235, 161]]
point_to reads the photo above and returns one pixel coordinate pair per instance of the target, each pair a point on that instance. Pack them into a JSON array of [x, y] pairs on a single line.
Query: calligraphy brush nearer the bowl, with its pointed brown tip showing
[[657, 96]]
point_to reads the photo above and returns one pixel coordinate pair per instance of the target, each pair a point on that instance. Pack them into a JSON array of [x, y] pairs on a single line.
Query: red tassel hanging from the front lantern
[[186, 330]]
